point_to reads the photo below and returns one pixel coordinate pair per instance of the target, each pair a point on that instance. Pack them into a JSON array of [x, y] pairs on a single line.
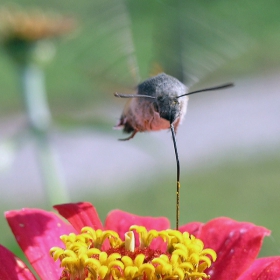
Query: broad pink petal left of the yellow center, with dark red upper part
[[36, 231]]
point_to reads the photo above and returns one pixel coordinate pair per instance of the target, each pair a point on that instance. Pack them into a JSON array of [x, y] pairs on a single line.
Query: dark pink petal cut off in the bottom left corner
[[12, 267]]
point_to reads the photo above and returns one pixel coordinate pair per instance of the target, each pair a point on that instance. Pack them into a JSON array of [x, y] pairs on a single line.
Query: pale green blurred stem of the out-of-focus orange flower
[[39, 118]]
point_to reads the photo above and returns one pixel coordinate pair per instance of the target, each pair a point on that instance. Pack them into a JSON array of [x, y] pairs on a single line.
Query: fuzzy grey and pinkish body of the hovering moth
[[156, 113]]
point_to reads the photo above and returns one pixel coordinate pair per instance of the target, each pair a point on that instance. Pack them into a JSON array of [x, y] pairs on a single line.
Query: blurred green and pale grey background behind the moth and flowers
[[228, 145]]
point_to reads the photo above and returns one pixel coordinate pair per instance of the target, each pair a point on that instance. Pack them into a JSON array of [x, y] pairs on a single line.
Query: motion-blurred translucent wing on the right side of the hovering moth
[[201, 44]]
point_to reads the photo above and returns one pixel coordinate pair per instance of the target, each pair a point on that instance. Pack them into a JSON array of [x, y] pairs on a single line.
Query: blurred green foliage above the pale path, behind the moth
[[113, 41]]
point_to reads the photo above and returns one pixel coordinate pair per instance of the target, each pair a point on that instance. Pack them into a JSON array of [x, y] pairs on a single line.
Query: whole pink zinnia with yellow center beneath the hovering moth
[[236, 244]]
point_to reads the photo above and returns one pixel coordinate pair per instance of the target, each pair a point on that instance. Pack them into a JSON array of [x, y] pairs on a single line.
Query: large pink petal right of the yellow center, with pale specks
[[236, 243]]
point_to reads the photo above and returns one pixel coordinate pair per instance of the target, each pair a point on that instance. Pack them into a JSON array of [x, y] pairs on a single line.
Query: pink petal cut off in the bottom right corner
[[263, 269]]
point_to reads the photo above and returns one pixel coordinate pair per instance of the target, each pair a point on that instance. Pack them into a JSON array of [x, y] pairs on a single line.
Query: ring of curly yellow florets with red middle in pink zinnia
[[83, 257]]
